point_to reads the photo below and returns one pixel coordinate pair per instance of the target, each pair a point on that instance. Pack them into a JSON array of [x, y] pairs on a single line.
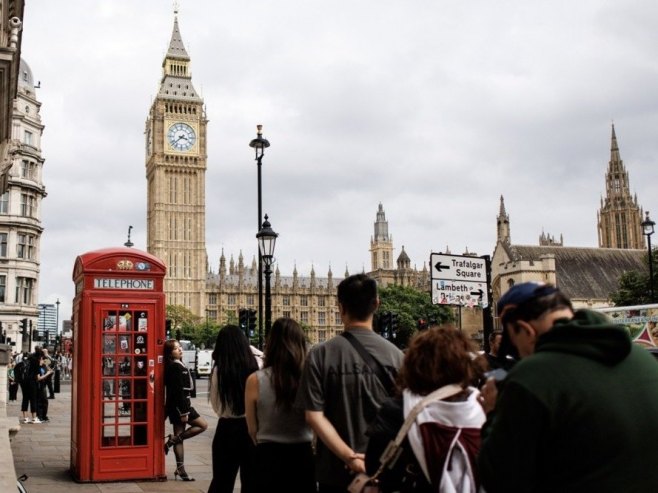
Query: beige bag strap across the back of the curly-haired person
[[362, 483]]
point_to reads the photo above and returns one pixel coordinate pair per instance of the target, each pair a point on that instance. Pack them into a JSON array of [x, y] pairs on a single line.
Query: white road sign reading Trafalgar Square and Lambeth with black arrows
[[459, 280]]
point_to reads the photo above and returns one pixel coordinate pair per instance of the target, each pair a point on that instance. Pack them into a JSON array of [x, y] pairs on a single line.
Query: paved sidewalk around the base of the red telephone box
[[42, 452]]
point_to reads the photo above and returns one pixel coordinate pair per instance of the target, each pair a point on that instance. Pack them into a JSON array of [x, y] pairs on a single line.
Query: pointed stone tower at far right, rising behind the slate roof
[[620, 215]]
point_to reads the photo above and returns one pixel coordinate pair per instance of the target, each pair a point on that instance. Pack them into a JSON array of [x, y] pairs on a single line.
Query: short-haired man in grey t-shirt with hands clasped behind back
[[339, 392]]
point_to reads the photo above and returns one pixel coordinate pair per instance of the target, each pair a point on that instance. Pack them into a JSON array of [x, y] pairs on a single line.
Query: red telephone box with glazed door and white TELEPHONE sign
[[117, 418]]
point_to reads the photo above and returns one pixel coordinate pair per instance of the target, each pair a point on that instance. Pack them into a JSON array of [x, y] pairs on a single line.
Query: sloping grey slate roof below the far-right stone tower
[[586, 273]]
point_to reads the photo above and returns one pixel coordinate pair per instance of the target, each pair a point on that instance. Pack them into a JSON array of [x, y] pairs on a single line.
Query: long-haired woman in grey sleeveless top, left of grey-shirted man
[[284, 455]]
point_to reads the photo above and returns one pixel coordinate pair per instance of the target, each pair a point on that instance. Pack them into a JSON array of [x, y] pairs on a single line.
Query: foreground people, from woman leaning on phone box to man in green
[[570, 406]]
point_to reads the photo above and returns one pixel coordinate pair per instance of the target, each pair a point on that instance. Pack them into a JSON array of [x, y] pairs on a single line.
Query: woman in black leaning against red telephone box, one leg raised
[[179, 385]]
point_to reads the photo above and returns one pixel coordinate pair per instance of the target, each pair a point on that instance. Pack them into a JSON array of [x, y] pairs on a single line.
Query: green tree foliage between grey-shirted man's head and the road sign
[[411, 305]]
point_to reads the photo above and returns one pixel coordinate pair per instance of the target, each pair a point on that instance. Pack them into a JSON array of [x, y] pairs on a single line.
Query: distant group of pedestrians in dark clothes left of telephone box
[[34, 374]]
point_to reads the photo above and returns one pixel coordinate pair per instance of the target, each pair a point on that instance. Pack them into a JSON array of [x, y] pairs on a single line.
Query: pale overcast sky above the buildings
[[433, 108]]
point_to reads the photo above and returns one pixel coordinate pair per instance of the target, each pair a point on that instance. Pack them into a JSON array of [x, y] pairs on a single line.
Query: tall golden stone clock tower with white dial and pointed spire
[[176, 162]]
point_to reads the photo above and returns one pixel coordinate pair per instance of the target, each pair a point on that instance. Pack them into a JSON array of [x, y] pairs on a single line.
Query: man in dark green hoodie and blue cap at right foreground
[[579, 412]]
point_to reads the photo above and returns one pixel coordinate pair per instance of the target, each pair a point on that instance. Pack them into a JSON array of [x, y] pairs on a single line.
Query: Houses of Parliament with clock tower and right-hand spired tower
[[176, 163]]
